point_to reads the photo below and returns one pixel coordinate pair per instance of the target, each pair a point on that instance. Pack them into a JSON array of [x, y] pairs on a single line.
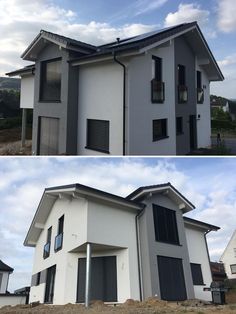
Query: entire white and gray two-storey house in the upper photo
[[146, 95]]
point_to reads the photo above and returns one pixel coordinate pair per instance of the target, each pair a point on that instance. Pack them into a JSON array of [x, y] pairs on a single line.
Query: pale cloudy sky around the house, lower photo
[[209, 183]]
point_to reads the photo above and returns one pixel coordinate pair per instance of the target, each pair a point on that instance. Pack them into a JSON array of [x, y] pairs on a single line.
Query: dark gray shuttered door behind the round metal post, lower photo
[[103, 279]]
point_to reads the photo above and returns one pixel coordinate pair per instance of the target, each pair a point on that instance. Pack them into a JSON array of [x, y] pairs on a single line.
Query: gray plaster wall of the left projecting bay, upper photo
[[66, 110]]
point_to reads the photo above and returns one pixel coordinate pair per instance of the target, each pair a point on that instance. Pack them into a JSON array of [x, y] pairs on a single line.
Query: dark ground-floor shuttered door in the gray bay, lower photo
[[171, 278]]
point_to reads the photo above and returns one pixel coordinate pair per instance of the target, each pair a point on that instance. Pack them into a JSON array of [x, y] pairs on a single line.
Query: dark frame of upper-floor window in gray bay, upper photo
[[43, 71]]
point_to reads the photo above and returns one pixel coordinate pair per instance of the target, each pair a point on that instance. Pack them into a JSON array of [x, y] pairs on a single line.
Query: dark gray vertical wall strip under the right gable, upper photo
[[185, 56]]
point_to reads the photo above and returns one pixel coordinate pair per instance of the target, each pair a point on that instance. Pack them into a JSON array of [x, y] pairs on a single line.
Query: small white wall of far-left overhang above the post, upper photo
[[27, 92]]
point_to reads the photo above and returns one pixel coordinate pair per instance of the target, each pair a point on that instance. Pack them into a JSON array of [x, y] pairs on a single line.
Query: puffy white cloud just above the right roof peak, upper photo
[[187, 13]]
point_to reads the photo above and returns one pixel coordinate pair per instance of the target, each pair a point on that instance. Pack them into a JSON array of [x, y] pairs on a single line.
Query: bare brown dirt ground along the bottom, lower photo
[[151, 306]]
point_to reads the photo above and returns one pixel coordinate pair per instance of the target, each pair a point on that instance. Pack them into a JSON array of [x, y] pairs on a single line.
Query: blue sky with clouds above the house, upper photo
[[99, 21]]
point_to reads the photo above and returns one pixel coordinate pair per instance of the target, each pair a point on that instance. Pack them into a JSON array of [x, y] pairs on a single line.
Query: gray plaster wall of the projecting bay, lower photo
[[150, 249]]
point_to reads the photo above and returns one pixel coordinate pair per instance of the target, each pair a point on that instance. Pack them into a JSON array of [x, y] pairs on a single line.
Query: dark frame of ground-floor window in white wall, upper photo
[[106, 148]]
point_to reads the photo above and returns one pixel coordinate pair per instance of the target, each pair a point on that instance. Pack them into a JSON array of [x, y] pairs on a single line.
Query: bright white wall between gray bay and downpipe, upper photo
[[101, 97]]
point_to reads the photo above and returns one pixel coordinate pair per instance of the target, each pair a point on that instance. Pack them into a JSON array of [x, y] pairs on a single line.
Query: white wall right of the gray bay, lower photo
[[198, 254]]
